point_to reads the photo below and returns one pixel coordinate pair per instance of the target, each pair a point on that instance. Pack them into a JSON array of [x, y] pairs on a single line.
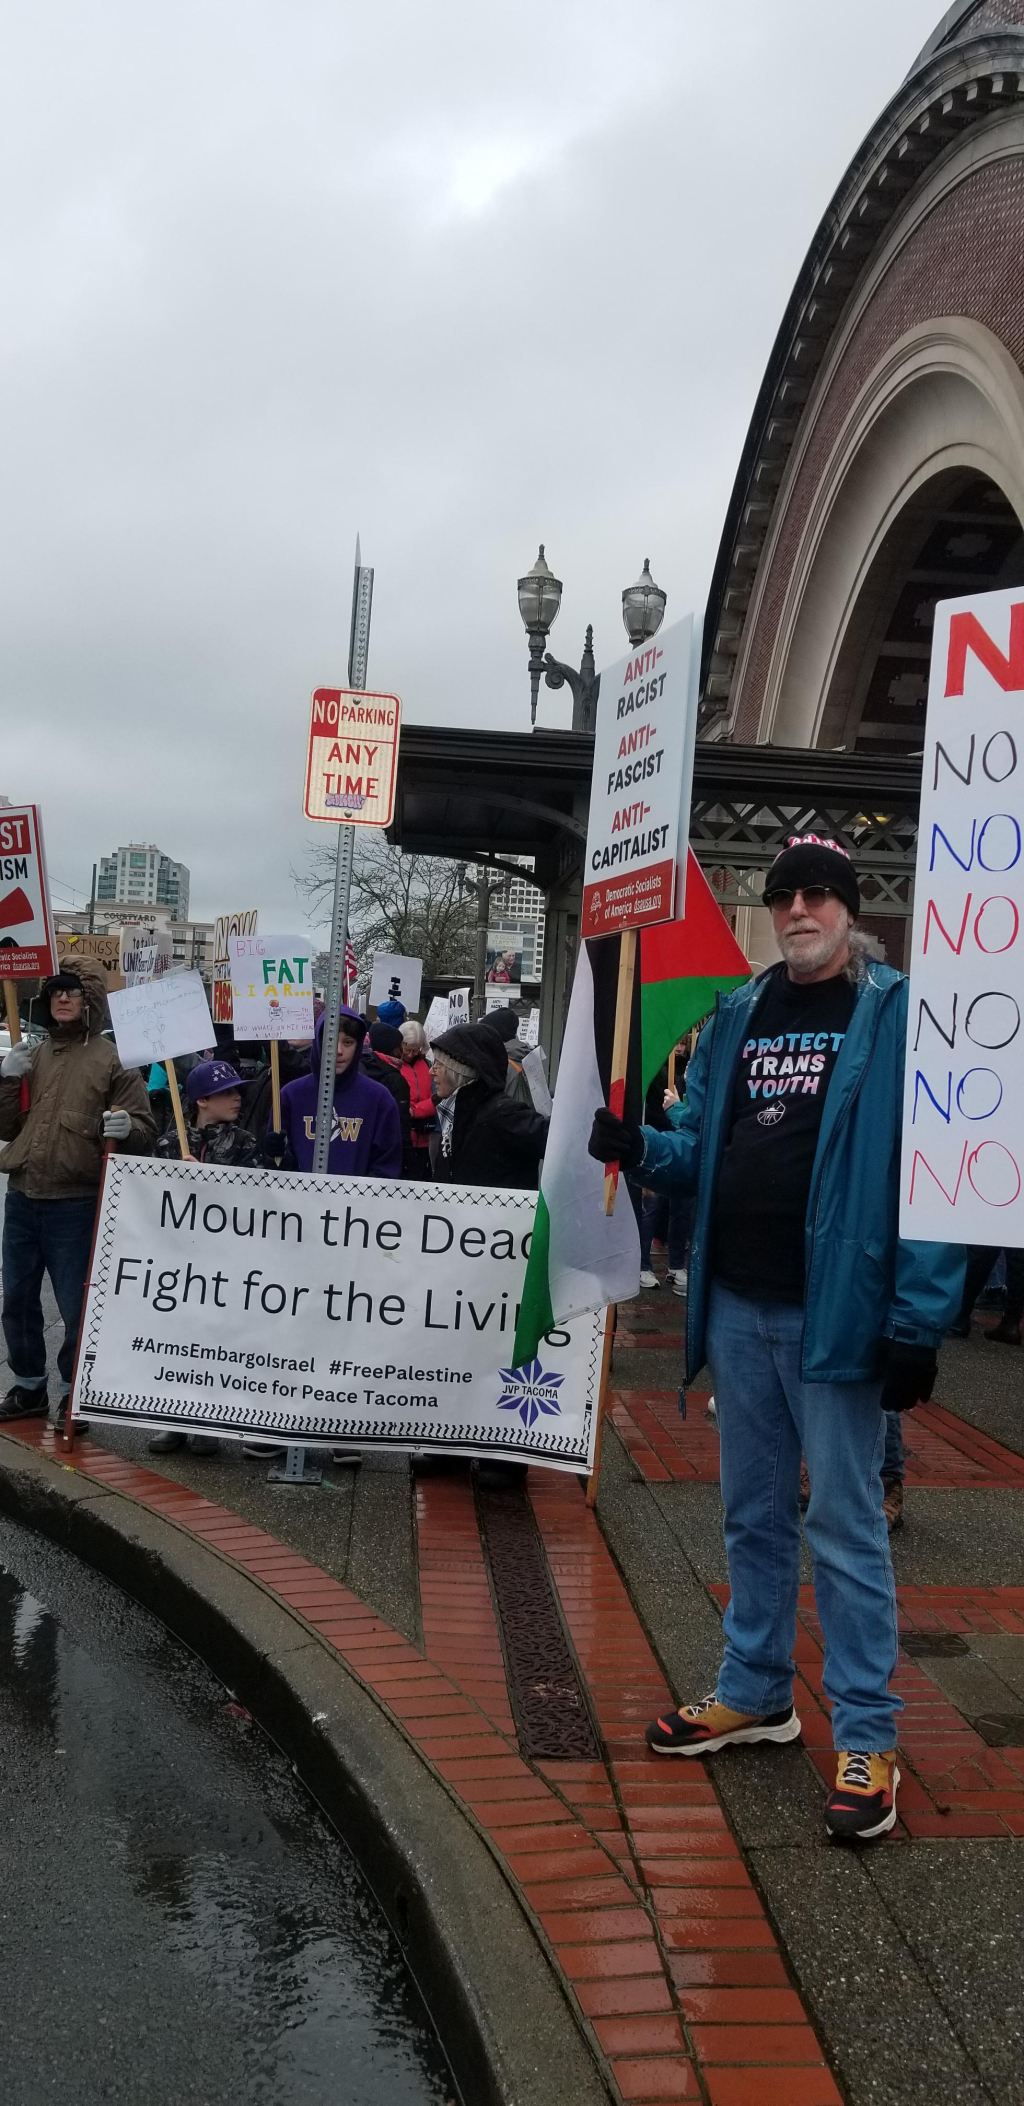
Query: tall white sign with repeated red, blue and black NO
[[964, 1107]]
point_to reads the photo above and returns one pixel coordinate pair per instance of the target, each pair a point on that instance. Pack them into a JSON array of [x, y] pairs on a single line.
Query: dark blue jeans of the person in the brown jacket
[[45, 1235]]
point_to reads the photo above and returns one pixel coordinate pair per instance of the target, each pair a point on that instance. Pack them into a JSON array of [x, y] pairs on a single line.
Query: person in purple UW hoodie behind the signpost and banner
[[366, 1128]]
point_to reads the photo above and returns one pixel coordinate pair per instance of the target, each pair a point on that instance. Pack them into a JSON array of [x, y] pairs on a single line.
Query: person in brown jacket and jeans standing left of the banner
[[60, 1102]]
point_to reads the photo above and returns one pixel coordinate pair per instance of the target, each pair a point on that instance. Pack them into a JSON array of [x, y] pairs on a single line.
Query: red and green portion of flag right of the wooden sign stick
[[684, 968]]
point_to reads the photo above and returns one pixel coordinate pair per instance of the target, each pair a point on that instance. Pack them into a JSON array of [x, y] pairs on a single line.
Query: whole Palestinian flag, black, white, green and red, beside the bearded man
[[580, 1256]]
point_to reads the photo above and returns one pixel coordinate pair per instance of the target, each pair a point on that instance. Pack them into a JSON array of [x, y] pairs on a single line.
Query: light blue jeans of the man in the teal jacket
[[768, 1416]]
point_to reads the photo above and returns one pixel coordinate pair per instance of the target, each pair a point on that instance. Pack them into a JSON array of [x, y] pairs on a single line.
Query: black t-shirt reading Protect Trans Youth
[[779, 1098]]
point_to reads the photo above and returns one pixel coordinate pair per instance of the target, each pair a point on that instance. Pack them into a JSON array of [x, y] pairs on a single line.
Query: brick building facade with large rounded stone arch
[[886, 458]]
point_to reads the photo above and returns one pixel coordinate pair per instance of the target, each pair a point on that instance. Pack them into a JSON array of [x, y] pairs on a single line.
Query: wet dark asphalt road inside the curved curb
[[178, 1922]]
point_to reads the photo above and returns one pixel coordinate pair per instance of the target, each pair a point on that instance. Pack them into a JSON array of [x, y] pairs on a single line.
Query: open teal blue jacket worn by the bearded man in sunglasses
[[865, 1284]]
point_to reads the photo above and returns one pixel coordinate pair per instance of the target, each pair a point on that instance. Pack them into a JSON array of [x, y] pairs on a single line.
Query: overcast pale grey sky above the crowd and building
[[458, 277]]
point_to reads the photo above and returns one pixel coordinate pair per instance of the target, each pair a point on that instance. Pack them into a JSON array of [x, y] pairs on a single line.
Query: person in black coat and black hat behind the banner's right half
[[484, 1136]]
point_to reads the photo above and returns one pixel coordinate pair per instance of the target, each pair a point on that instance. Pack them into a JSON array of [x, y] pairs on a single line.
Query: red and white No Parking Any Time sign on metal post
[[353, 761]]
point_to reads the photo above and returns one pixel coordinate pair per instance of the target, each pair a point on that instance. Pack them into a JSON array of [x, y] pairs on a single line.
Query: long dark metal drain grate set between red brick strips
[[549, 1698]]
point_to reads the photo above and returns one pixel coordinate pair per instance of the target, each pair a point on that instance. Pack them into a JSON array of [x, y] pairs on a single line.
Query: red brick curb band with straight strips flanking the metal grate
[[627, 1867]]
